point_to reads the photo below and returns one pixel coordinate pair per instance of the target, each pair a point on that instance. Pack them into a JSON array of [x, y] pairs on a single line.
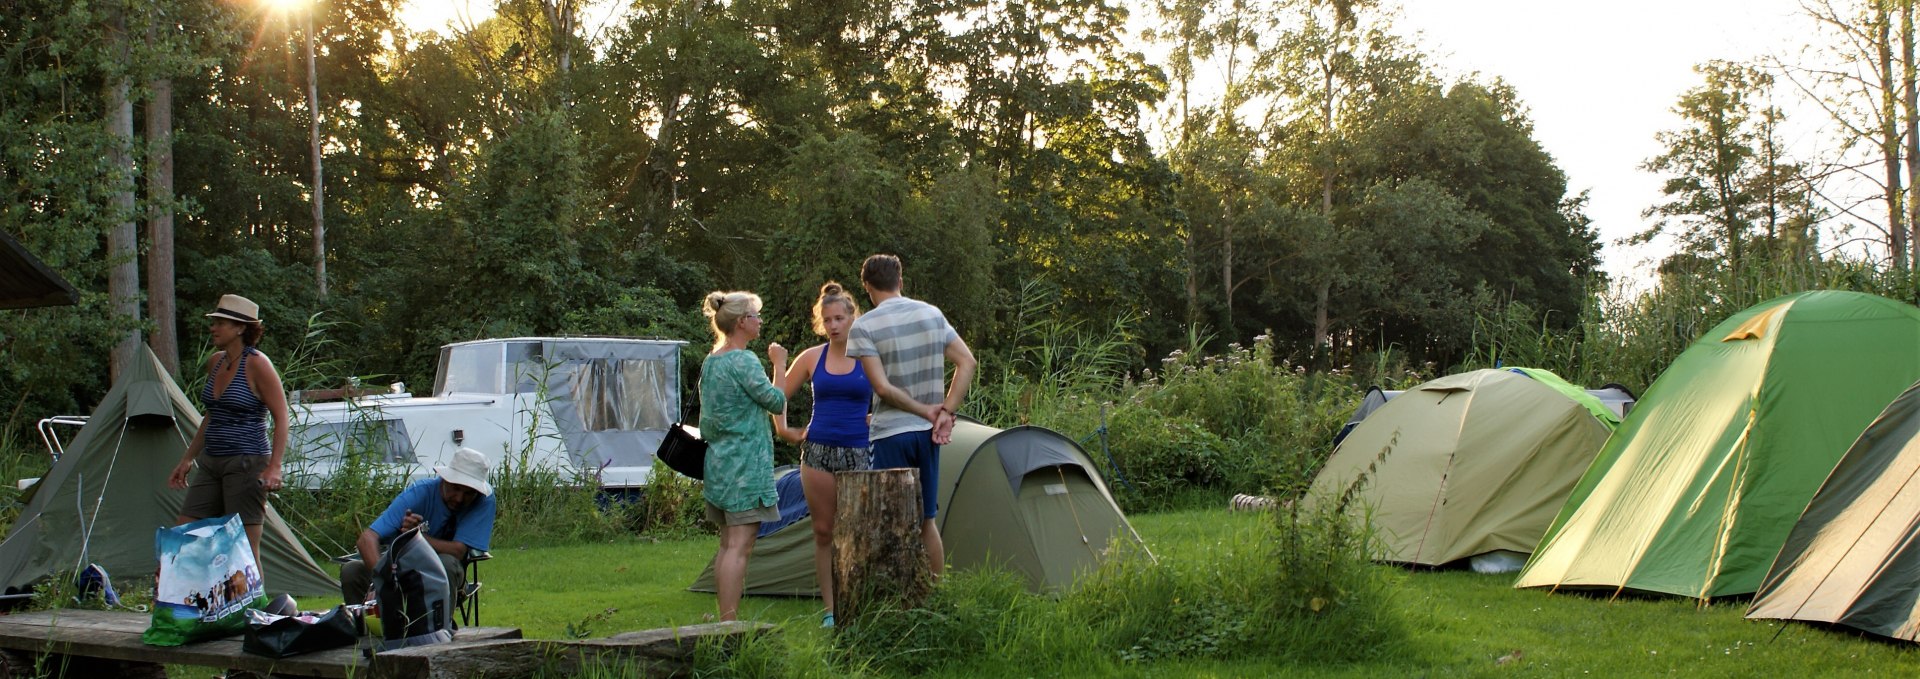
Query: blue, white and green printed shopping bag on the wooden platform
[[206, 582]]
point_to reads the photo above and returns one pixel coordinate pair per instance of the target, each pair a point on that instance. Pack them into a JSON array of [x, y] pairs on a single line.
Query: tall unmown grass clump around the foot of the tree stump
[[1295, 588]]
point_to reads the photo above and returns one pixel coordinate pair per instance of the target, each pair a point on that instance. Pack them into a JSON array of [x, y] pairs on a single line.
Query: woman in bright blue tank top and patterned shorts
[[834, 440]]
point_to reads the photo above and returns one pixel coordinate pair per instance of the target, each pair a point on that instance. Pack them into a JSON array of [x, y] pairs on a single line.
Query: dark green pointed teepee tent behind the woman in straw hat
[[107, 496]]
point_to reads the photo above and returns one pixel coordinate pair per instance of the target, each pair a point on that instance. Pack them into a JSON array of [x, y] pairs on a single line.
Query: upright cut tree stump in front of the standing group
[[878, 557]]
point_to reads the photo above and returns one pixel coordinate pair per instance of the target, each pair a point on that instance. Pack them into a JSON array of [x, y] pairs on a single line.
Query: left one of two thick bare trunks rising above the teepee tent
[[124, 246]]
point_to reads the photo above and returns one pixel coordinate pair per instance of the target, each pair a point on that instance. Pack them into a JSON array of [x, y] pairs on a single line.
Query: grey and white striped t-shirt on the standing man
[[911, 340]]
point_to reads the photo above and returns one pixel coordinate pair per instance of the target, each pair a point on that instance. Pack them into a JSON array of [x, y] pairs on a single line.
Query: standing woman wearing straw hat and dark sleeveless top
[[237, 461]]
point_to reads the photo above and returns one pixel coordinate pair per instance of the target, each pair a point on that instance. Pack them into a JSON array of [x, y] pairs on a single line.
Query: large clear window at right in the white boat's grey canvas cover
[[623, 394]]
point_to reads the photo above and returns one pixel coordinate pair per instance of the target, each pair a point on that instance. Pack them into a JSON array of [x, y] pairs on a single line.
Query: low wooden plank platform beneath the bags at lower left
[[116, 636]]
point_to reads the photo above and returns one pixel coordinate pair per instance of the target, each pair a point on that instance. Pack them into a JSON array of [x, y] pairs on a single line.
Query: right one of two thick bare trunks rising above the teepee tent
[[166, 339]]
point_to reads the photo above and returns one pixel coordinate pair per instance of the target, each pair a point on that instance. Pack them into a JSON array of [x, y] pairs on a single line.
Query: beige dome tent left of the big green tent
[[1466, 465]]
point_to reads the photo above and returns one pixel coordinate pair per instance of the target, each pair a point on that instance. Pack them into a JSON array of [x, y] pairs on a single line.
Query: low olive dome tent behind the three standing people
[[1024, 500]]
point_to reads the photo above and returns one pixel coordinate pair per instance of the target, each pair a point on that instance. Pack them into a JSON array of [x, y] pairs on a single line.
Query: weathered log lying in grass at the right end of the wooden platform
[[654, 653]]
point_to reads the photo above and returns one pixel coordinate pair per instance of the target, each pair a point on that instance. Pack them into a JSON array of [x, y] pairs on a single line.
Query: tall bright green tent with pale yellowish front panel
[[1700, 486]]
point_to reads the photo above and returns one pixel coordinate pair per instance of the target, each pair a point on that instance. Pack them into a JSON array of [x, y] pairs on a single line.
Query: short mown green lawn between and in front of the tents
[[1458, 622]]
